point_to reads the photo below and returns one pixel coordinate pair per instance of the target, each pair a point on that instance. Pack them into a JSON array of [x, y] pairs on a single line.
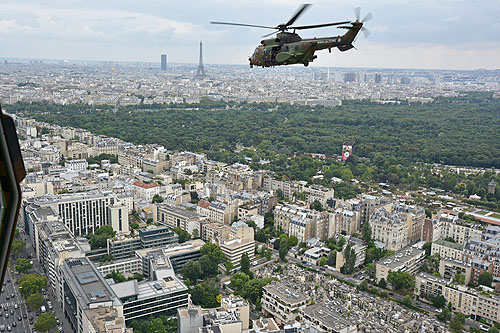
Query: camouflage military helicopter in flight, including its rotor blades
[[288, 48]]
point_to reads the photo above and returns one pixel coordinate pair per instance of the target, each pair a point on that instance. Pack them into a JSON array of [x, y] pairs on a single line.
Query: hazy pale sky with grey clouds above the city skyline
[[439, 34]]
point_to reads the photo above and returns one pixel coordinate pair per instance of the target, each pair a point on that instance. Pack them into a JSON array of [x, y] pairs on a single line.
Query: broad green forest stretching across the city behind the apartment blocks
[[460, 131]]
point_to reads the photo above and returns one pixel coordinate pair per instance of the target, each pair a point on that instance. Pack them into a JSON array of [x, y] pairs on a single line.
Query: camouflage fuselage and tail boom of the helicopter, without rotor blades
[[289, 48]]
